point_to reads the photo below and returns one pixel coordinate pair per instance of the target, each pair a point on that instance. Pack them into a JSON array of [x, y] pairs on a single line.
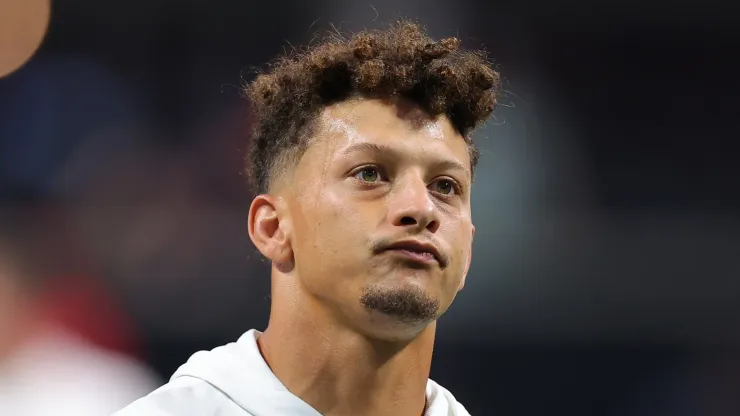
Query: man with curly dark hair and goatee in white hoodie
[[363, 165]]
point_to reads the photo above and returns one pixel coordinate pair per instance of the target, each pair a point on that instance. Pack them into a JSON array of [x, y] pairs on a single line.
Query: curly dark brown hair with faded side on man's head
[[400, 60]]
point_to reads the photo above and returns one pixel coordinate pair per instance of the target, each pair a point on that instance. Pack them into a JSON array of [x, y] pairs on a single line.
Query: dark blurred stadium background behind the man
[[606, 272]]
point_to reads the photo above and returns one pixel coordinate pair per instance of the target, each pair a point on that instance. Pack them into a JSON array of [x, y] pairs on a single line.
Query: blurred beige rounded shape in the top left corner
[[23, 24]]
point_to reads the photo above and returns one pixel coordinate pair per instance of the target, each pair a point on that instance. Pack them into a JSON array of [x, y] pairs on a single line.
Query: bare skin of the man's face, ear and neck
[[352, 327]]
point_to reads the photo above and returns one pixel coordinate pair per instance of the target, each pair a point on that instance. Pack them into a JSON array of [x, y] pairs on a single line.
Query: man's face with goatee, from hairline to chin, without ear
[[379, 208]]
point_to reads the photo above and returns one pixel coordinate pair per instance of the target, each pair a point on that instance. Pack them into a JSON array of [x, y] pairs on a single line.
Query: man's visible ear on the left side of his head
[[268, 233]]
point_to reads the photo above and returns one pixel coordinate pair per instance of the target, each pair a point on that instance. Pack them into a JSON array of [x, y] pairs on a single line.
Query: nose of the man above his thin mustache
[[411, 206]]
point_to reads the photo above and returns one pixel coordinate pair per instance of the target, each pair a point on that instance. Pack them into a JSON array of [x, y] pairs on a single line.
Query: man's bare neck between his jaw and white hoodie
[[339, 371]]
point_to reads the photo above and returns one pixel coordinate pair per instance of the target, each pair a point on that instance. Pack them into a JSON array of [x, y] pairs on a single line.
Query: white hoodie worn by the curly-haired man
[[234, 380]]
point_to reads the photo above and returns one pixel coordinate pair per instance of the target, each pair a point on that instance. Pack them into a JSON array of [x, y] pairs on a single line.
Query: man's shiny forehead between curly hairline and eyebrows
[[393, 124]]
